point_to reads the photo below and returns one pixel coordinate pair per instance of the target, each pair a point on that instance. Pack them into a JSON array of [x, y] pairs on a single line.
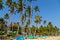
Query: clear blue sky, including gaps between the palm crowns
[[49, 10]]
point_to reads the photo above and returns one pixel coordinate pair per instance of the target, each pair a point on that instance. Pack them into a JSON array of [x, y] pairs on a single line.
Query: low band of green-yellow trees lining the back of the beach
[[48, 29]]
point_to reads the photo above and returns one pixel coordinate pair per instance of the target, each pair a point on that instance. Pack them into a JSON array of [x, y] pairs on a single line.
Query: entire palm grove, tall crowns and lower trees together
[[26, 12]]
